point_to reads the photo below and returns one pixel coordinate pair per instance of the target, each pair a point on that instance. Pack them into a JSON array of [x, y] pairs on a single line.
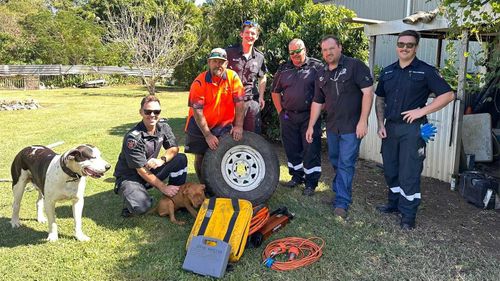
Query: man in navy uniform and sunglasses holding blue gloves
[[402, 93]]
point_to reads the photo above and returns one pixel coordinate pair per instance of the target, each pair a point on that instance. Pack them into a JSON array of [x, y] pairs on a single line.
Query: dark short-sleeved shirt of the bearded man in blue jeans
[[340, 90]]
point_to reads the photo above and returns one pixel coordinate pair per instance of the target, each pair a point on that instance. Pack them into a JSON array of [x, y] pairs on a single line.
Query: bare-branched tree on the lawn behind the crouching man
[[157, 44]]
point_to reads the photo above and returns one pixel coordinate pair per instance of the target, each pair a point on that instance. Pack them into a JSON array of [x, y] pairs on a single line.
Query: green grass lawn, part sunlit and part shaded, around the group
[[366, 247]]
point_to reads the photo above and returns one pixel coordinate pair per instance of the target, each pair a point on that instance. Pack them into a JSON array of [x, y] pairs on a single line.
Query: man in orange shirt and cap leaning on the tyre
[[216, 101]]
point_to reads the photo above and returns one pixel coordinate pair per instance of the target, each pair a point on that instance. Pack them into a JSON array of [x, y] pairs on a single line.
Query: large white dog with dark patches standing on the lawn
[[56, 177]]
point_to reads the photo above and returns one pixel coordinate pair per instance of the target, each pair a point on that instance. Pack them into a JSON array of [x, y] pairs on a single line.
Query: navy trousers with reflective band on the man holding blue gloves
[[403, 153]]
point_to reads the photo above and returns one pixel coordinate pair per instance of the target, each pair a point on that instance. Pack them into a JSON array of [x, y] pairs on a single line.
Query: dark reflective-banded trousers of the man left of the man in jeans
[[304, 159]]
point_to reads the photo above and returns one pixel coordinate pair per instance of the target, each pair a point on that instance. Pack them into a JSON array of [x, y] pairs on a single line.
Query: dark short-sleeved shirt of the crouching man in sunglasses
[[138, 147]]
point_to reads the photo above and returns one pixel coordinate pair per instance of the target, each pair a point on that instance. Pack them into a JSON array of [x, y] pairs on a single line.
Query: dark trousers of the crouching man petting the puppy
[[133, 190]]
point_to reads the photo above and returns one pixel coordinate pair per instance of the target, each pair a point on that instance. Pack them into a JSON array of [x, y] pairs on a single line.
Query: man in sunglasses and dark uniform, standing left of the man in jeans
[[292, 94]]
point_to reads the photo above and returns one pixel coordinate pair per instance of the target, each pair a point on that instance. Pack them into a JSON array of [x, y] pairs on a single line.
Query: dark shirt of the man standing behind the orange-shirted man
[[249, 70]]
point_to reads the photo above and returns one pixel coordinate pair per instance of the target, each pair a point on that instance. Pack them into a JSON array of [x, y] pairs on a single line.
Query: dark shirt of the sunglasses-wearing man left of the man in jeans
[[296, 84]]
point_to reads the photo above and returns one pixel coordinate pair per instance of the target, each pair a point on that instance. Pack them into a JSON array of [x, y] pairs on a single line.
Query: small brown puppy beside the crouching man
[[190, 196]]
